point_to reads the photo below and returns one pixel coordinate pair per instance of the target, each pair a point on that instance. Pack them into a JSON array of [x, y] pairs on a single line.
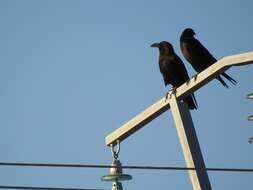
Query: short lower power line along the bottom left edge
[[43, 188]]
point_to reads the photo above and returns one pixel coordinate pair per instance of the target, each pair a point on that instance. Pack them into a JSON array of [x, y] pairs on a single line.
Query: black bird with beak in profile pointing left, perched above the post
[[173, 70]]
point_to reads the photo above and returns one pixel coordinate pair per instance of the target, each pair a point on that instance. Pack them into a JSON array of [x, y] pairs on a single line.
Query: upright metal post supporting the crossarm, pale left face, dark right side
[[190, 145]]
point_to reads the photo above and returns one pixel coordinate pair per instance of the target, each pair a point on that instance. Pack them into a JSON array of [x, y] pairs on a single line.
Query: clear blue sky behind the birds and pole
[[73, 71]]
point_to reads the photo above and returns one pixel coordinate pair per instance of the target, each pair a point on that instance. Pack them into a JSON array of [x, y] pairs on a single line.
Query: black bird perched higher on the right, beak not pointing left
[[198, 56]]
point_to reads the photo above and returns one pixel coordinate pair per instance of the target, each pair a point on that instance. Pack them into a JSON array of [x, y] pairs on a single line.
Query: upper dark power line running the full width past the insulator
[[126, 167]]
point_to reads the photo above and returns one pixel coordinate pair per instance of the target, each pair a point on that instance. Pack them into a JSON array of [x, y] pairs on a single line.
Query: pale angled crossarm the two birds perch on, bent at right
[[185, 89]]
